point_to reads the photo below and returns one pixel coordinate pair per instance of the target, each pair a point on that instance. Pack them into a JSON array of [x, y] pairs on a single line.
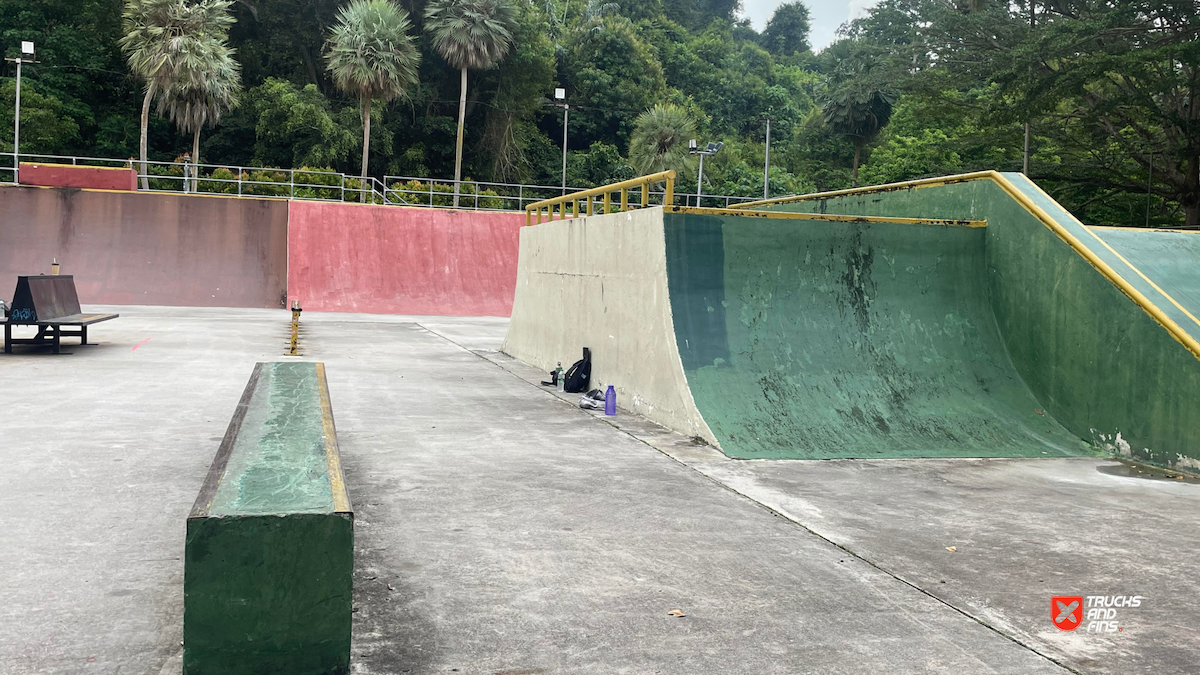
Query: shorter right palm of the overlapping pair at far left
[[194, 106]]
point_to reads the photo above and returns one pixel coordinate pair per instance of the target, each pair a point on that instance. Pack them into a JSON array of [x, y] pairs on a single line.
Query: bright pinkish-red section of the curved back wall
[[397, 260]]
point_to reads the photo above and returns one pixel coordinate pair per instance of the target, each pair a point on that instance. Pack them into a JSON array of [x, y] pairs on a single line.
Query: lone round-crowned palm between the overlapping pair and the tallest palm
[[371, 56]]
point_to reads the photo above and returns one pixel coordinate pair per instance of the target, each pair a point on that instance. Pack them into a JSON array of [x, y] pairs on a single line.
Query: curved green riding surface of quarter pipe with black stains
[[811, 339]]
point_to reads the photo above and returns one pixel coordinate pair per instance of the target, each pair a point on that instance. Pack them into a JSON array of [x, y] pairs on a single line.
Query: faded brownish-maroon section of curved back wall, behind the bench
[[148, 249]]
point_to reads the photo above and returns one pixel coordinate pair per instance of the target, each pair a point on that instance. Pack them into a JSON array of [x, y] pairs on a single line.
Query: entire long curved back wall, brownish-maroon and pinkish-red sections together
[[171, 249]]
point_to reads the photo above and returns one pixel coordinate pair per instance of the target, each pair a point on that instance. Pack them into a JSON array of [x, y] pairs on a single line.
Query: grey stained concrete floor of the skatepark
[[500, 529]]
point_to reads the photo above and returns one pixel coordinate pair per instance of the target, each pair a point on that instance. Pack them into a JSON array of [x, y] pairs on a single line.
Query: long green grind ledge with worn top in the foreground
[[271, 542]]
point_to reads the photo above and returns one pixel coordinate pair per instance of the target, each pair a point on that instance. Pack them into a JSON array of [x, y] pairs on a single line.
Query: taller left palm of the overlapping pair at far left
[[172, 41]]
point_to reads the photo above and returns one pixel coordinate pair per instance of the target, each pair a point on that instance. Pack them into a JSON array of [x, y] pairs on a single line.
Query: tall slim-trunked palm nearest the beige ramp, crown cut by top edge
[[470, 35]]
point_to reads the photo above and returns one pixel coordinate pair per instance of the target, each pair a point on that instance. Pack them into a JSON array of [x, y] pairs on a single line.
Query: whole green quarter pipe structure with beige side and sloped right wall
[[968, 316]]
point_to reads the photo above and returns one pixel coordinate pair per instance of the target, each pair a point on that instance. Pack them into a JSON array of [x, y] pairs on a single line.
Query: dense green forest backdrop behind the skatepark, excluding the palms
[[1111, 93]]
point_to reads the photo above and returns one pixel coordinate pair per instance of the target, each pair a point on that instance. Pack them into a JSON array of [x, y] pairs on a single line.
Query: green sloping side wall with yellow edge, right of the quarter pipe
[[1094, 359]]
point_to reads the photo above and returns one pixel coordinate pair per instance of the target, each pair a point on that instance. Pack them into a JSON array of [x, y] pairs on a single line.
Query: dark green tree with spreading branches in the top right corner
[[1118, 87]]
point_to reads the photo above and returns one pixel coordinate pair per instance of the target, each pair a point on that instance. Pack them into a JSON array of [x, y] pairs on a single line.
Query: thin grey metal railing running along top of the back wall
[[327, 186]]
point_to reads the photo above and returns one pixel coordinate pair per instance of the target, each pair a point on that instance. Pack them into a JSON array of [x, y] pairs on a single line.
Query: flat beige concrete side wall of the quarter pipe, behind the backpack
[[602, 283]]
